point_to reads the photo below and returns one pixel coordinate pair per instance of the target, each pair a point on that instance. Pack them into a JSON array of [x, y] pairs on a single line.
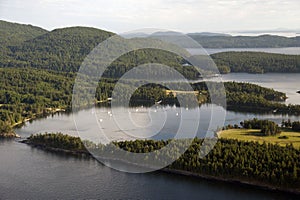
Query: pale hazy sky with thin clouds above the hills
[[178, 15]]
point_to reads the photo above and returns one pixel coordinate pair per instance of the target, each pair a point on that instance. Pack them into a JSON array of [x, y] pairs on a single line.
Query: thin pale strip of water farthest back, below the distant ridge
[[287, 50]]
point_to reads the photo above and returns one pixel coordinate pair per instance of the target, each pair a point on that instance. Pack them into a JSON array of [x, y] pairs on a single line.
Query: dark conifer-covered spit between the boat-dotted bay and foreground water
[[266, 165]]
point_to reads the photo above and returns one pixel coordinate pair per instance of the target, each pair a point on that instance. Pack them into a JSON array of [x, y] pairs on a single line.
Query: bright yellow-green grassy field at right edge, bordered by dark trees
[[255, 135]]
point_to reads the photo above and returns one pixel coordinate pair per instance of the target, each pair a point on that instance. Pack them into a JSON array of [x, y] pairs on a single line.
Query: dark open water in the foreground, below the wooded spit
[[27, 173]]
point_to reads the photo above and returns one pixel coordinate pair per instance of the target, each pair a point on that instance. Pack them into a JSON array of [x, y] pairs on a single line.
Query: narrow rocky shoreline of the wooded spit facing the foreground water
[[248, 183]]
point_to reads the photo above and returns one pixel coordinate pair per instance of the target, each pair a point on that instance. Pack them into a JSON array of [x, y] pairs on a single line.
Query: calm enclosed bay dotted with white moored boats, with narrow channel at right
[[65, 123]]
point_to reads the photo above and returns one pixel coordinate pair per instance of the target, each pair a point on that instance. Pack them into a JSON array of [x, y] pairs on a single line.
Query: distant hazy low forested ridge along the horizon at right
[[262, 41]]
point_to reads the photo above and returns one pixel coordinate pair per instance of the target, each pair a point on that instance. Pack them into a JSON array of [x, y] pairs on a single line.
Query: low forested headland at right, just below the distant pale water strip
[[257, 62]]
